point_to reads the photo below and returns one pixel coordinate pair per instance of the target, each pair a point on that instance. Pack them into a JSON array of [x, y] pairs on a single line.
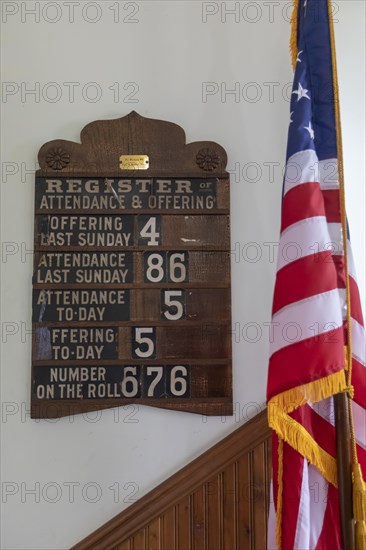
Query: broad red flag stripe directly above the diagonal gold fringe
[[305, 361]]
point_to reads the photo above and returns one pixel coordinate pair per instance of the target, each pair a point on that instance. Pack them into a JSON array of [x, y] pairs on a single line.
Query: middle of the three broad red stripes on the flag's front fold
[[303, 278]]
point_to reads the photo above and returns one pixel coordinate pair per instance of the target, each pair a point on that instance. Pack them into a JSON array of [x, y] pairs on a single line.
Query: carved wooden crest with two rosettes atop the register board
[[104, 141]]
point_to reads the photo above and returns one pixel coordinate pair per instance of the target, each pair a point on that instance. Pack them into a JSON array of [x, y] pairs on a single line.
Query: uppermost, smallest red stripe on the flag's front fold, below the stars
[[300, 202]]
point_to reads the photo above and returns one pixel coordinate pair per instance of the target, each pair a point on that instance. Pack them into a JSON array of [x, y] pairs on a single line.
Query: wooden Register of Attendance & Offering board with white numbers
[[131, 286]]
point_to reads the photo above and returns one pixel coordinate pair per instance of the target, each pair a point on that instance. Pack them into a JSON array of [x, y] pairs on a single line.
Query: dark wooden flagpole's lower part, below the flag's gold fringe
[[344, 470]]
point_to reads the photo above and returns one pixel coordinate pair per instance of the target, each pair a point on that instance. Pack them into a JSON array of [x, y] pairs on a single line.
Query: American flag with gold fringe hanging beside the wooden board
[[314, 300]]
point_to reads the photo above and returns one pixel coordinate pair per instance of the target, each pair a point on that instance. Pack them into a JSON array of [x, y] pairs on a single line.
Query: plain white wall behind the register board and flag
[[168, 53]]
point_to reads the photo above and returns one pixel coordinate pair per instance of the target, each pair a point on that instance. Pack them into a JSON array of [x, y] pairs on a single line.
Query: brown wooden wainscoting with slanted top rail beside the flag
[[217, 502]]
